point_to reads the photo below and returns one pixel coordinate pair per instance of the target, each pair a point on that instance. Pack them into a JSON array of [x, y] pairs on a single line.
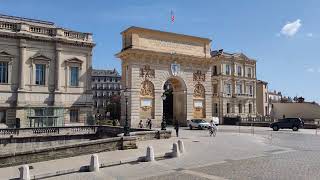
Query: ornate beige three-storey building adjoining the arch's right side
[[234, 85]]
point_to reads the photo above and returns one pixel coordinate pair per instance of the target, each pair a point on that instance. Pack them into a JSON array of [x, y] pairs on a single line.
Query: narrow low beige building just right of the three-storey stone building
[[262, 98]]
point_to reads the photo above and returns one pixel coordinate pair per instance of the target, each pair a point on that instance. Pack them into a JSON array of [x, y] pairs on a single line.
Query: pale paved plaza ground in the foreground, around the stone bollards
[[247, 153]]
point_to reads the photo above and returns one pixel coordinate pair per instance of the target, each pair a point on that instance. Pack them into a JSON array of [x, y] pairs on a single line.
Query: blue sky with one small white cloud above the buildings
[[283, 36]]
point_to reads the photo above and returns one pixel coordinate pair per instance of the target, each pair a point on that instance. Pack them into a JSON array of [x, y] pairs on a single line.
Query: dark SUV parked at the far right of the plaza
[[287, 123]]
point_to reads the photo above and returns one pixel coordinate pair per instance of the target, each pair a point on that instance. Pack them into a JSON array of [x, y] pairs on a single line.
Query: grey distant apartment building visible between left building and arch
[[106, 93]]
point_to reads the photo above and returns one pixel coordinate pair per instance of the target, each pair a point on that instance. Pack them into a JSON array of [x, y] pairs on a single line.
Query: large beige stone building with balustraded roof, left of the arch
[[44, 74]]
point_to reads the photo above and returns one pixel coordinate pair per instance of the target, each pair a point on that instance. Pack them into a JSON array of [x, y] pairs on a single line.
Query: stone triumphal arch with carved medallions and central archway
[[156, 62]]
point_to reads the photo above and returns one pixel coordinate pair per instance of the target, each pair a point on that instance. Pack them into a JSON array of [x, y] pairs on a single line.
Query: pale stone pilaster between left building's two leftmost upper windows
[[22, 60]]
